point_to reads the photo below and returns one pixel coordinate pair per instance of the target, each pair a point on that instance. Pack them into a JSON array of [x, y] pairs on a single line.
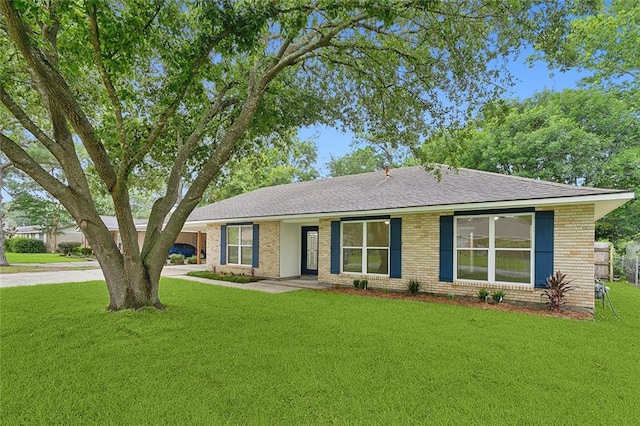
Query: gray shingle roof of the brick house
[[405, 188]]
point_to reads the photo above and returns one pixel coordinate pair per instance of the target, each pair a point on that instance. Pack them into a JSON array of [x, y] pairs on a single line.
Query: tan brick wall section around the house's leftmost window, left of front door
[[269, 260]]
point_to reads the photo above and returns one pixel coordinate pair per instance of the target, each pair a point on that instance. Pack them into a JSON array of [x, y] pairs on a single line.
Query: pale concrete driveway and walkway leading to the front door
[[177, 271]]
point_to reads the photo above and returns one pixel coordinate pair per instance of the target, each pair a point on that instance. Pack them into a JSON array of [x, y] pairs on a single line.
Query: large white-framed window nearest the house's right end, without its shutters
[[495, 248]]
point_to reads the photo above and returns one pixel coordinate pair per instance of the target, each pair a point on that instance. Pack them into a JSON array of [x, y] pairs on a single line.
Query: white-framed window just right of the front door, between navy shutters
[[365, 247]]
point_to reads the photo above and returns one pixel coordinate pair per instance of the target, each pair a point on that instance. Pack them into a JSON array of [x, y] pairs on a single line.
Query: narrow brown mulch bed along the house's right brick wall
[[462, 302]]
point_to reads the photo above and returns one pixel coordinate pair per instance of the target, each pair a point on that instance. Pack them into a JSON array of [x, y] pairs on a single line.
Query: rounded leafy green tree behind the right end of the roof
[[576, 137]]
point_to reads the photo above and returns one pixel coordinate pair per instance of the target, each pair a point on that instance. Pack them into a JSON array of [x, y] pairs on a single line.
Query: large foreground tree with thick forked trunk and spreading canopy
[[173, 88]]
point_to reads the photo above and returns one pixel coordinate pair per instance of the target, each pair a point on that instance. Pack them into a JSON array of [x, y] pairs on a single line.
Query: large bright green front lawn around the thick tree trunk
[[221, 355]]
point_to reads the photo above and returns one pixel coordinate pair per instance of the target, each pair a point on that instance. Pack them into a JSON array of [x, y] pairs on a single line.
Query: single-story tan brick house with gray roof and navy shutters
[[468, 231]]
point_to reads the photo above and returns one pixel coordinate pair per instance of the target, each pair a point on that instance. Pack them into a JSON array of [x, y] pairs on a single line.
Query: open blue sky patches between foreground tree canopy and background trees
[[529, 80]]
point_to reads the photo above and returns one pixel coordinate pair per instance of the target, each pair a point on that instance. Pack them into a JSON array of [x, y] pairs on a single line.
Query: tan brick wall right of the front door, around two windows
[[573, 255]]
